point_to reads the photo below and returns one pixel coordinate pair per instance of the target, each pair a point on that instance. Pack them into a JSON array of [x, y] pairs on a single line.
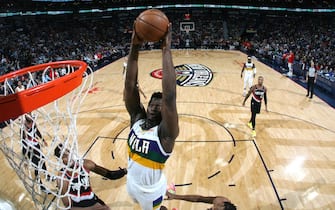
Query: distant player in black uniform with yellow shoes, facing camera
[[258, 92]]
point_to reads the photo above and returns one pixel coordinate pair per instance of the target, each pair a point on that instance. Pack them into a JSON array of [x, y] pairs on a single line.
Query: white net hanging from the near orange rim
[[29, 141]]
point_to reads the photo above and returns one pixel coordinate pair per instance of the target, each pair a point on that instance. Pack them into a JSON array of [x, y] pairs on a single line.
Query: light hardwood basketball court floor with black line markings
[[290, 164]]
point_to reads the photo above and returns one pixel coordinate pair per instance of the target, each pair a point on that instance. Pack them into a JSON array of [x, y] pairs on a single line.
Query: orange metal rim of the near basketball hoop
[[16, 104]]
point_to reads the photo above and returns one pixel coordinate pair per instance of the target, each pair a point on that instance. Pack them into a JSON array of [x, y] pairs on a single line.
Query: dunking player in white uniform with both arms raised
[[153, 132]]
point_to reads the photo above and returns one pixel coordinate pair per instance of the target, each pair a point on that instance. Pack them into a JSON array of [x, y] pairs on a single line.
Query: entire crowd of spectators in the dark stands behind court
[[101, 39]]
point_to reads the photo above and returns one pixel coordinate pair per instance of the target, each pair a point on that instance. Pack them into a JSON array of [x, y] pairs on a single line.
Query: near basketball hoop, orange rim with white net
[[55, 91]]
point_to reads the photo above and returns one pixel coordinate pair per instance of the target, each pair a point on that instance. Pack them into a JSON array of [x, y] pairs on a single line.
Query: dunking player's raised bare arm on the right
[[169, 128]]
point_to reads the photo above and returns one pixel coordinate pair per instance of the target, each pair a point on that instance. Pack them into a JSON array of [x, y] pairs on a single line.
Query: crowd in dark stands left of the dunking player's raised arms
[[34, 40]]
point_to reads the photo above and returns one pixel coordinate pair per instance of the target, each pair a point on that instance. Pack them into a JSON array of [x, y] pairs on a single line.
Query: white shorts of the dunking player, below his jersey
[[148, 196]]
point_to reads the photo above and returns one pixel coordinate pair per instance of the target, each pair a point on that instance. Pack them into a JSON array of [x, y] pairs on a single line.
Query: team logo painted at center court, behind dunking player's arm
[[189, 75]]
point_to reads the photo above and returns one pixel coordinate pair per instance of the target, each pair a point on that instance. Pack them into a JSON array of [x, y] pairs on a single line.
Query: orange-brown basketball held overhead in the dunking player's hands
[[151, 25]]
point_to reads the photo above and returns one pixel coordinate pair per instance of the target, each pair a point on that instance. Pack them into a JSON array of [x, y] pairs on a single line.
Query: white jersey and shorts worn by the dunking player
[[146, 183]]
